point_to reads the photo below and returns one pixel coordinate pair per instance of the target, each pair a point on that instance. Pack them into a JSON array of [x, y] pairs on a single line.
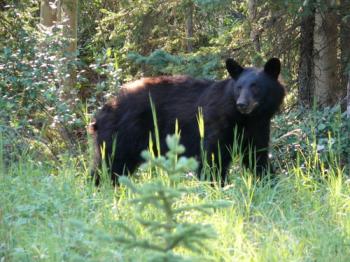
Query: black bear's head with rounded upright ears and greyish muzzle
[[256, 90]]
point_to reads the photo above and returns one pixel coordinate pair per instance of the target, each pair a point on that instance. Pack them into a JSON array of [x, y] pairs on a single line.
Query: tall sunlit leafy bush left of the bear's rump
[[33, 114]]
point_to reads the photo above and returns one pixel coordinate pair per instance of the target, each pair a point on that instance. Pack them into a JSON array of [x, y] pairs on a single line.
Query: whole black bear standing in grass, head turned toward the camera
[[245, 102]]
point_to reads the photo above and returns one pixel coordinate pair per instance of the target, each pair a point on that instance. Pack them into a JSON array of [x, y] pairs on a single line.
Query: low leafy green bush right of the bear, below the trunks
[[304, 134]]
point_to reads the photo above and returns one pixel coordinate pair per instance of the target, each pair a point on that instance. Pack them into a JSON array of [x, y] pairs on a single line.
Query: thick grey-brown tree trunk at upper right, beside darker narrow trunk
[[325, 58]]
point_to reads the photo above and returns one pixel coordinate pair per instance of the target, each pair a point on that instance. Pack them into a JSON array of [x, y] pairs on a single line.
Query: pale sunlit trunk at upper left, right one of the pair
[[67, 16]]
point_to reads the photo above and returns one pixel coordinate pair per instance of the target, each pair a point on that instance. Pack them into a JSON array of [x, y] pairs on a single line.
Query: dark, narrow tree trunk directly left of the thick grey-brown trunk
[[306, 66]]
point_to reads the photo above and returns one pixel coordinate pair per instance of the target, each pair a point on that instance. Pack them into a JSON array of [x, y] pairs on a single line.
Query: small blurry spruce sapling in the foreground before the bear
[[168, 230]]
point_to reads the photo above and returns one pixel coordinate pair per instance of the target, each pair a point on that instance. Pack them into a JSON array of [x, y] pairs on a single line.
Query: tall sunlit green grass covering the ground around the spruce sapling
[[304, 215]]
